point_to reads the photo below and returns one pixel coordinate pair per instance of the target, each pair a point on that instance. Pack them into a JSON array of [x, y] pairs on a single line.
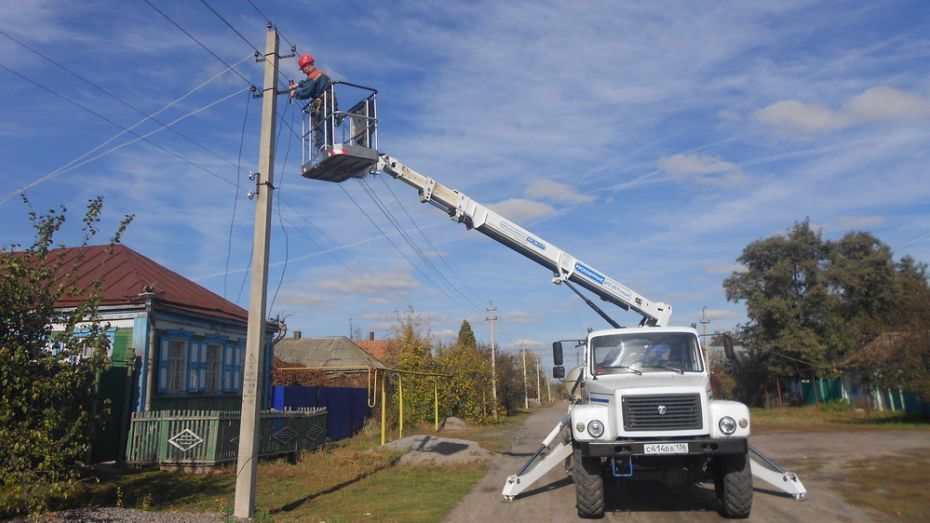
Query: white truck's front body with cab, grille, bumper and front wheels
[[643, 409]]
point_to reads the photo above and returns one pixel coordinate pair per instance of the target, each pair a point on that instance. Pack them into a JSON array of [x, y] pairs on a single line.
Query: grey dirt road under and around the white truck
[[553, 497]]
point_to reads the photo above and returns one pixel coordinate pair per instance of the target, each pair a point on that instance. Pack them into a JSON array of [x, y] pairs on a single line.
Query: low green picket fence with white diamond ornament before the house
[[211, 437]]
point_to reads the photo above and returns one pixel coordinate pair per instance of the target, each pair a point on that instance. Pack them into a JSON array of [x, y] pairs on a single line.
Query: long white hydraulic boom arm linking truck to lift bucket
[[565, 267]]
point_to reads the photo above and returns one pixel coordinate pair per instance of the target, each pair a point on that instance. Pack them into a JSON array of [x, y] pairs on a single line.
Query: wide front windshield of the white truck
[[646, 352]]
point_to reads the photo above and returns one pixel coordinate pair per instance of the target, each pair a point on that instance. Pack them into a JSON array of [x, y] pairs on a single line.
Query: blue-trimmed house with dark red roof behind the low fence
[[173, 343]]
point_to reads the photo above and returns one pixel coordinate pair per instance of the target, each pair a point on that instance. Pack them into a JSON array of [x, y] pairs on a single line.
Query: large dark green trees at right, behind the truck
[[813, 304]]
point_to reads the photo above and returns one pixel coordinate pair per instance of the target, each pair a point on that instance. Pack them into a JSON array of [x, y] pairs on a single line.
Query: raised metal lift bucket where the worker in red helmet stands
[[337, 145]]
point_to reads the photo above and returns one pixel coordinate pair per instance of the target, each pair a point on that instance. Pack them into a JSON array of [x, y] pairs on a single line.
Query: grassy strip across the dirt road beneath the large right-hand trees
[[829, 417]]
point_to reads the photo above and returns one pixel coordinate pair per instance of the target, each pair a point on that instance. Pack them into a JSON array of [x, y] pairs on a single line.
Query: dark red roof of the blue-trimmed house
[[126, 274]]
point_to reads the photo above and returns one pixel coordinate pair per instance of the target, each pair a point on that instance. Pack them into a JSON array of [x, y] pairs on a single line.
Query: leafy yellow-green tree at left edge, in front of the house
[[49, 361]]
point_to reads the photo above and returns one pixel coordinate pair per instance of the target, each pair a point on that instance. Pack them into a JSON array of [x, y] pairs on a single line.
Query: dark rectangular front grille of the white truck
[[678, 412]]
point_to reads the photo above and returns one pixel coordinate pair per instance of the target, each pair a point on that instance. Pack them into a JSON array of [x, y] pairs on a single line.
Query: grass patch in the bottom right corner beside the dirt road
[[896, 486]]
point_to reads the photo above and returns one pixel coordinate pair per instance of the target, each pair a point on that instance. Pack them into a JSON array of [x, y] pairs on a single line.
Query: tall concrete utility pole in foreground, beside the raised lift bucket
[[247, 466]]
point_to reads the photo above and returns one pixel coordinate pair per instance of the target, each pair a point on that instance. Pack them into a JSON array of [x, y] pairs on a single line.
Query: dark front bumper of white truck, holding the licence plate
[[700, 447]]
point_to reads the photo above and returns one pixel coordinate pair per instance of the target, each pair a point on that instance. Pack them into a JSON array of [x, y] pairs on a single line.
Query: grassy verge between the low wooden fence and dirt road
[[352, 480]]
